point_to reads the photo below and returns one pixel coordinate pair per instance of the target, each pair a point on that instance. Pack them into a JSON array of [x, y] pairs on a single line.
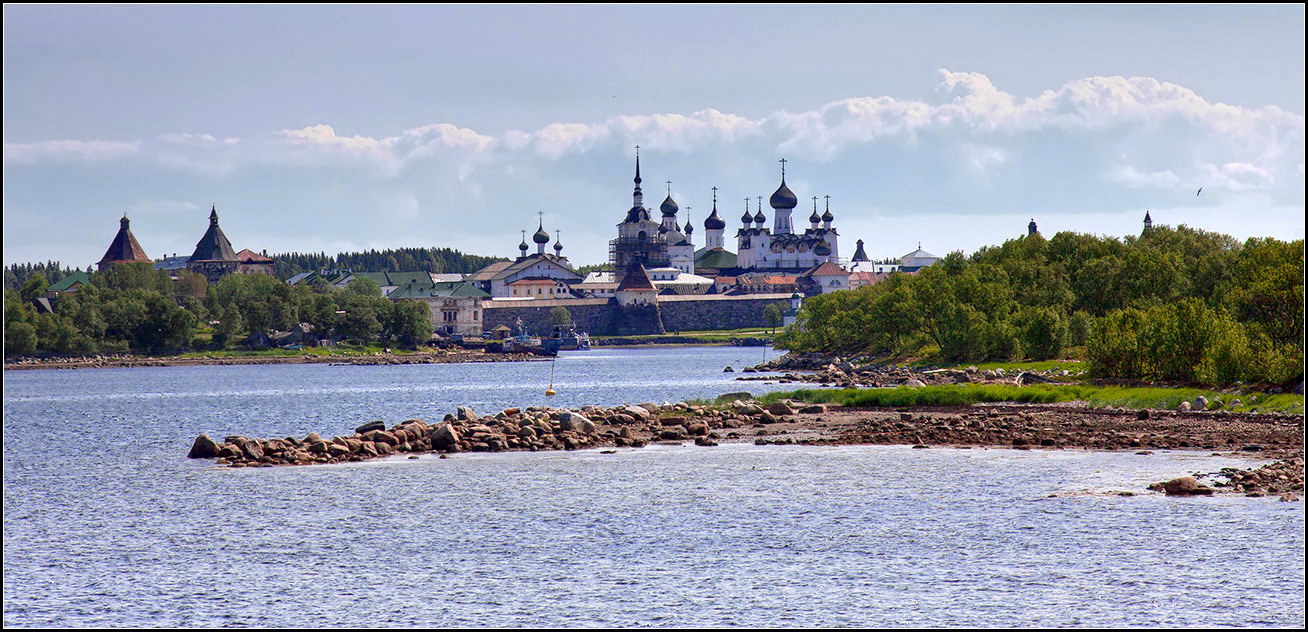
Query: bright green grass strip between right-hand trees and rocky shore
[[1162, 398]]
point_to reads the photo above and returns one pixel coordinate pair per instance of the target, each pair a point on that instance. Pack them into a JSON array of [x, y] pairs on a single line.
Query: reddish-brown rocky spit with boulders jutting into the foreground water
[[1025, 427]]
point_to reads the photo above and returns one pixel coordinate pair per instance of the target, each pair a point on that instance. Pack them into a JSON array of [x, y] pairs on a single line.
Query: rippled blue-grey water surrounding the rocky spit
[[108, 524]]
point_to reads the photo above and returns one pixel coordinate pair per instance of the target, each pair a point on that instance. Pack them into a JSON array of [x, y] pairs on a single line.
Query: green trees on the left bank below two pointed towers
[[141, 309]]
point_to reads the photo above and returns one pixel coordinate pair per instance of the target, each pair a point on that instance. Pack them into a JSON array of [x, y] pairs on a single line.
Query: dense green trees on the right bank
[[1173, 304]]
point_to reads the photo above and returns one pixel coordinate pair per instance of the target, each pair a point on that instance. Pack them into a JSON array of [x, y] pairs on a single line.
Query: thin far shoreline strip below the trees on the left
[[441, 357]]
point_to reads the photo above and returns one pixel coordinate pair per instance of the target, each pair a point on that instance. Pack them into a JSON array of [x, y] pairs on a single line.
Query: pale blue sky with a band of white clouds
[[346, 129]]
